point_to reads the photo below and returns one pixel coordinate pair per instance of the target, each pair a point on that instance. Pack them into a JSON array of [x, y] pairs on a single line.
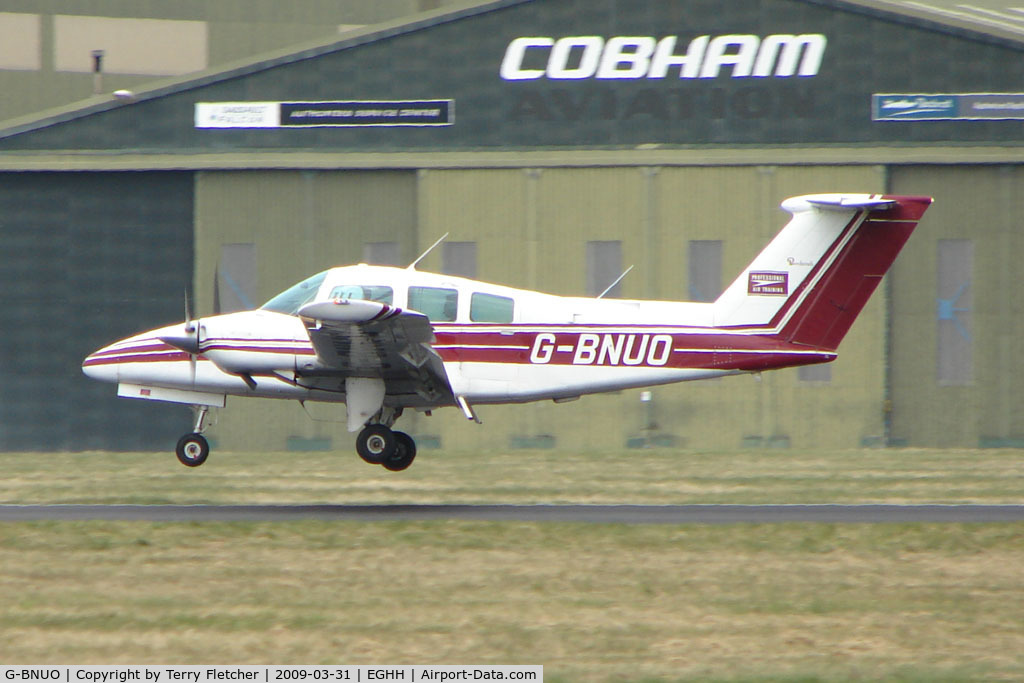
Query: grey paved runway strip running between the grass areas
[[624, 515]]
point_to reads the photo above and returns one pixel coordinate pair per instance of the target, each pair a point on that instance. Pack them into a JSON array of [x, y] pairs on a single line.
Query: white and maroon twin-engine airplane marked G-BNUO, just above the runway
[[386, 339]]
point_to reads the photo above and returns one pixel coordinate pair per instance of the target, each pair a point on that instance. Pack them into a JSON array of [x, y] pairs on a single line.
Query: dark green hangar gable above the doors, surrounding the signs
[[457, 51]]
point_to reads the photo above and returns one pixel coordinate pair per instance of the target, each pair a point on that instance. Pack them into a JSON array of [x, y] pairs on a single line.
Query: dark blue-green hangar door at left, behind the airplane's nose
[[89, 259]]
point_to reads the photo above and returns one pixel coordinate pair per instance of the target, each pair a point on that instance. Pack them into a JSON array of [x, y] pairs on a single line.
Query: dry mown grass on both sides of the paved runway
[[591, 603]]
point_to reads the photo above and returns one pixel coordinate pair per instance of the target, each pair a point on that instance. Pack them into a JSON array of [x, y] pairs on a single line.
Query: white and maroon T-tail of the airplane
[[810, 283]]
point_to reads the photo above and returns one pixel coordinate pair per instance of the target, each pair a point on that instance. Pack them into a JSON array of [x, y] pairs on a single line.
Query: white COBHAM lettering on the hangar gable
[[579, 58]]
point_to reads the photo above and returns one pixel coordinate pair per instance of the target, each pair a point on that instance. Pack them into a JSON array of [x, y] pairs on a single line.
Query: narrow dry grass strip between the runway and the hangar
[[656, 477]]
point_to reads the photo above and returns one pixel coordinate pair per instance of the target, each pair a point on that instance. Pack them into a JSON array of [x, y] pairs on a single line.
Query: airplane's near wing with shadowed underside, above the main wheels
[[356, 338]]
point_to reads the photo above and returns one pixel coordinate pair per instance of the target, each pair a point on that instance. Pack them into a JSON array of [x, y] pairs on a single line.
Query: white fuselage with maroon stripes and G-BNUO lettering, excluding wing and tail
[[498, 345]]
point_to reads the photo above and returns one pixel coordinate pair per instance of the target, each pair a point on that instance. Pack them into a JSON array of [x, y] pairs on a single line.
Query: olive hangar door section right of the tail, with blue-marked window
[[979, 405]]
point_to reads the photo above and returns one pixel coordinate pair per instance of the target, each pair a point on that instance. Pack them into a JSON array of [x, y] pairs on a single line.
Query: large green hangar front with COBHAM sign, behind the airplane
[[662, 135]]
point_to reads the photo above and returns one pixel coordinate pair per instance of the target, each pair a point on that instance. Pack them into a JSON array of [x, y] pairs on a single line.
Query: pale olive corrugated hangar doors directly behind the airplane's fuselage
[[532, 227]]
